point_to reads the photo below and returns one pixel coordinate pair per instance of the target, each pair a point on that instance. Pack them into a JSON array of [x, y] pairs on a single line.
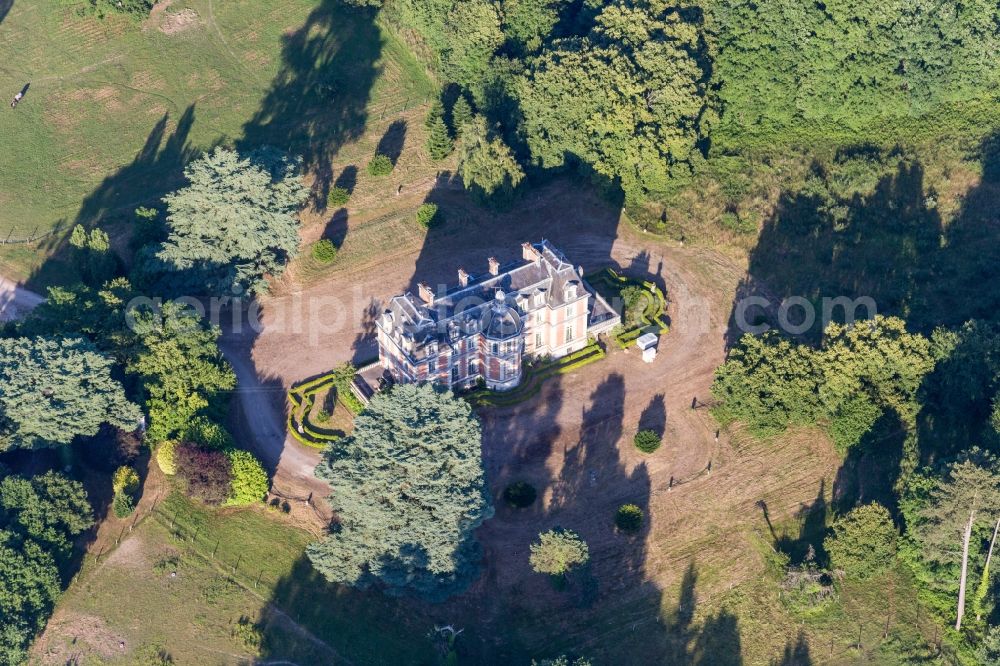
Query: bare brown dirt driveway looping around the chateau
[[310, 330]]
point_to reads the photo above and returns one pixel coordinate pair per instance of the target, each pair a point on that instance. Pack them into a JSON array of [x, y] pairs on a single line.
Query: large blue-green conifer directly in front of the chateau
[[409, 492]]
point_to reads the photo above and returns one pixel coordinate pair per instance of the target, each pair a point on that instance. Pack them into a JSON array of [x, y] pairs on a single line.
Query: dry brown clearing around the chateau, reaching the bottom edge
[[706, 550]]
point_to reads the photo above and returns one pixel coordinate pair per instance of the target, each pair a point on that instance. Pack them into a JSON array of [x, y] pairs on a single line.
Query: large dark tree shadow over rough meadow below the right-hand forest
[[891, 245]]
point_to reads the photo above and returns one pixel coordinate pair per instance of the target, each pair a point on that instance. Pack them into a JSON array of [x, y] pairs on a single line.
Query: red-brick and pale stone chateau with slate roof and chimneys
[[486, 325]]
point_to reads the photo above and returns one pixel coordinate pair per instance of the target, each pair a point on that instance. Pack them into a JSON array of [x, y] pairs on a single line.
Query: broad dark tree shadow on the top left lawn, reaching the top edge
[[319, 98]]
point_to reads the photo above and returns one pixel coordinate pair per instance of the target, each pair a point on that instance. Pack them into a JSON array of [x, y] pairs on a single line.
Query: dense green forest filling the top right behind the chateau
[[642, 94]]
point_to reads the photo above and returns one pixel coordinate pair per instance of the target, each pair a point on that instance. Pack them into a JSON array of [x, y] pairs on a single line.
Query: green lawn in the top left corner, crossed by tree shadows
[[116, 107]]
